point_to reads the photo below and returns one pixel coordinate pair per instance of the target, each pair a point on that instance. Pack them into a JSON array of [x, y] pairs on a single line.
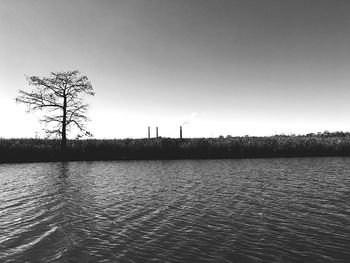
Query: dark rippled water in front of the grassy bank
[[267, 210]]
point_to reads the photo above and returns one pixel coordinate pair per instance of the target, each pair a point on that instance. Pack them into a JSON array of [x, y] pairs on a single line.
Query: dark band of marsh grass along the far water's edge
[[41, 150]]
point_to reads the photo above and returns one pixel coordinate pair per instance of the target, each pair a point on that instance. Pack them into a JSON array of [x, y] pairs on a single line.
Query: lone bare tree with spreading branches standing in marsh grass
[[61, 96]]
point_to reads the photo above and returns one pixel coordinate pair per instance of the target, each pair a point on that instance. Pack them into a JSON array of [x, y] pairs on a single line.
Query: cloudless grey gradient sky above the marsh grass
[[256, 67]]
